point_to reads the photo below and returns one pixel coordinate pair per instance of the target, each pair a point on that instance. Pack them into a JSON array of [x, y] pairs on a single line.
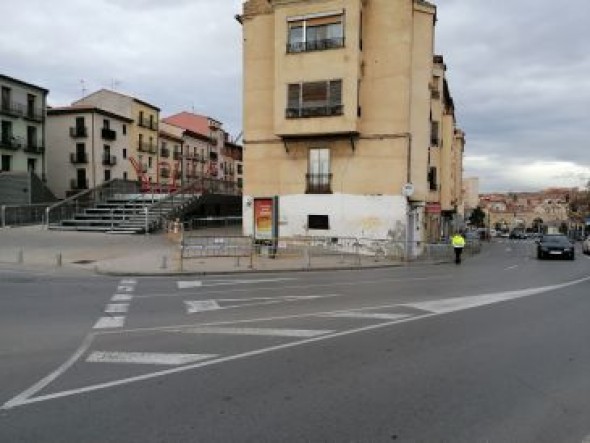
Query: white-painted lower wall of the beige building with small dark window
[[361, 216]]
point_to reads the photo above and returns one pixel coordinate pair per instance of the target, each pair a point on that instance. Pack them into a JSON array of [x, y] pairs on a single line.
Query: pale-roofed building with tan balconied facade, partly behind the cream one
[[143, 158]]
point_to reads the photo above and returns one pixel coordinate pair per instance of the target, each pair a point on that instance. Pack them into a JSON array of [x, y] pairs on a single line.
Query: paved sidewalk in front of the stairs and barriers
[[33, 247]]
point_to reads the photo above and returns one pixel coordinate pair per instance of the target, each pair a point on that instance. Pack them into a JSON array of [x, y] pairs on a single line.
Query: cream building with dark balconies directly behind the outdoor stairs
[[89, 146]]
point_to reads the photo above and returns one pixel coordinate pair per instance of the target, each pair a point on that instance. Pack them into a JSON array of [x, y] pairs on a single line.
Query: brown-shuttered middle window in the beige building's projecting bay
[[314, 99]]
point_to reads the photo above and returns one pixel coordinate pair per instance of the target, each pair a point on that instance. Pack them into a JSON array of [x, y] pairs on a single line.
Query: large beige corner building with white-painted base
[[338, 118]]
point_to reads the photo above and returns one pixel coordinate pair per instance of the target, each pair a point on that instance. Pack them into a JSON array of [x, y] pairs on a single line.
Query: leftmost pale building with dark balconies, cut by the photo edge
[[22, 125]]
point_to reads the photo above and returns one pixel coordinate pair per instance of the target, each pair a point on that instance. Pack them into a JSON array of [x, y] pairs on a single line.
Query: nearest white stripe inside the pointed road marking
[[147, 358]]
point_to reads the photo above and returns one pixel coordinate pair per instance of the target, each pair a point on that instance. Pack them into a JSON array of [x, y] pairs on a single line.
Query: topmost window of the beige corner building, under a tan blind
[[316, 32]]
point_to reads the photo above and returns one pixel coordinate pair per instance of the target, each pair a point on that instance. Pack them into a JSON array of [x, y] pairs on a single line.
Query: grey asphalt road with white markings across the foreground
[[494, 350]]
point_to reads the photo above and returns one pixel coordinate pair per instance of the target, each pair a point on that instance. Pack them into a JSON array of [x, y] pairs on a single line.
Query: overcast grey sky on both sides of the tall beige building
[[519, 71]]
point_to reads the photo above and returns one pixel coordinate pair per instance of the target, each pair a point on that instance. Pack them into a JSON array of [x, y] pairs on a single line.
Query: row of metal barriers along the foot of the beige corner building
[[308, 250]]
